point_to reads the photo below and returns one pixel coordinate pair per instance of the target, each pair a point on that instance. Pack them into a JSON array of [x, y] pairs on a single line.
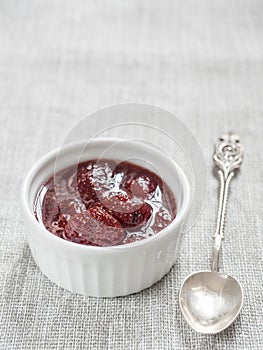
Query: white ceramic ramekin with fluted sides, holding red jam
[[105, 271]]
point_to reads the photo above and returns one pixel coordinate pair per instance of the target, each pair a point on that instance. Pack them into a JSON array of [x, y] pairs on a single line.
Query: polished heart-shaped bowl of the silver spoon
[[210, 301]]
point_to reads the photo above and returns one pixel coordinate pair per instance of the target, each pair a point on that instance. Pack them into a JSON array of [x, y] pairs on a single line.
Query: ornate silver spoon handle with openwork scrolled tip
[[228, 158]]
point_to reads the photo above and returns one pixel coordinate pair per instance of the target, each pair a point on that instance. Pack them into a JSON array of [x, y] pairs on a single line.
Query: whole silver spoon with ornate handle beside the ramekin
[[210, 300]]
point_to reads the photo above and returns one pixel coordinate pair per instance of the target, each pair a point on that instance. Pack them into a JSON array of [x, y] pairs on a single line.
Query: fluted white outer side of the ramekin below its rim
[[113, 275]]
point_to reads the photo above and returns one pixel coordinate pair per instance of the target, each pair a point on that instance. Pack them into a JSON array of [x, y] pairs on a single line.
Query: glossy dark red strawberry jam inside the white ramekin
[[105, 203]]
